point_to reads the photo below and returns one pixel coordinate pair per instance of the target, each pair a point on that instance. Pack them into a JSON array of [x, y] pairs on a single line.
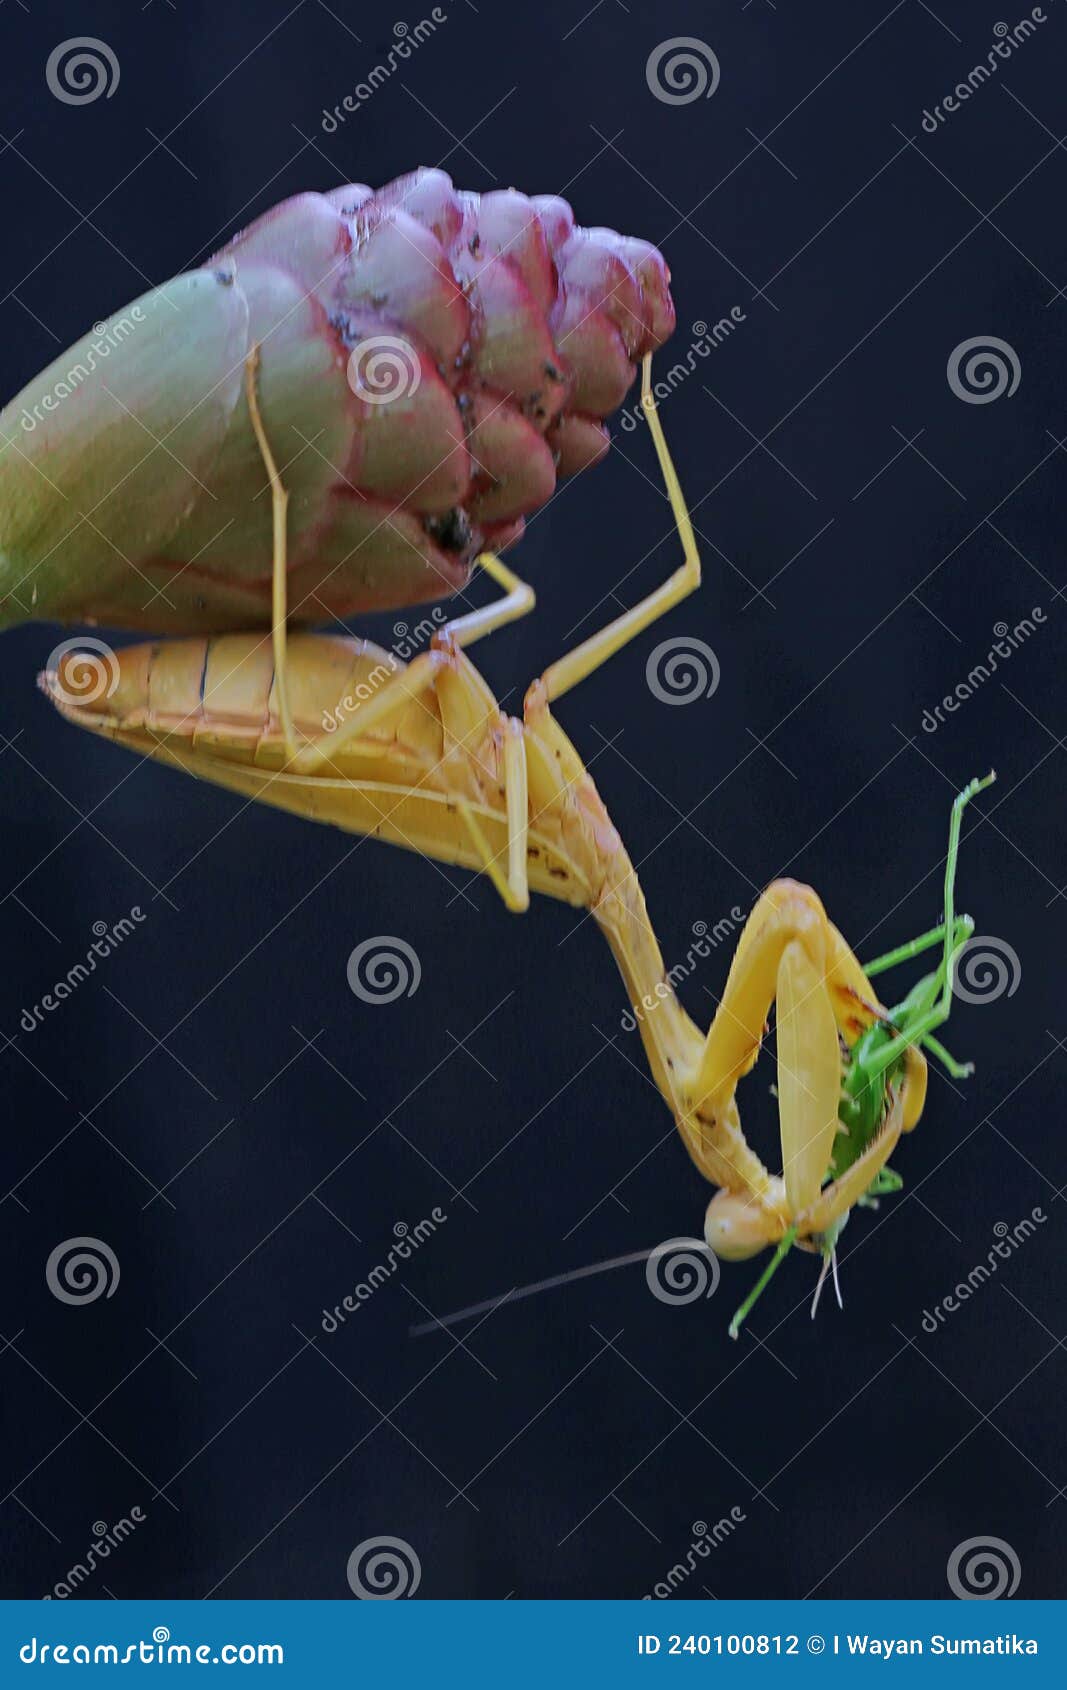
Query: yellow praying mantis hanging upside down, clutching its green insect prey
[[424, 756]]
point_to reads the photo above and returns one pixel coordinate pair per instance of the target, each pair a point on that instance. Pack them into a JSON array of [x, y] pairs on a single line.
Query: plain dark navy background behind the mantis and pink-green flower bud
[[571, 1444]]
